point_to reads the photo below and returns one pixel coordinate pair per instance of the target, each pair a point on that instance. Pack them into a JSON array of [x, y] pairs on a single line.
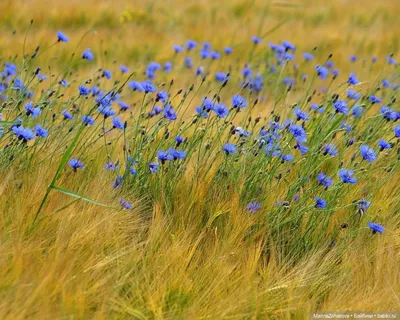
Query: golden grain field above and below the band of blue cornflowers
[[94, 263]]
